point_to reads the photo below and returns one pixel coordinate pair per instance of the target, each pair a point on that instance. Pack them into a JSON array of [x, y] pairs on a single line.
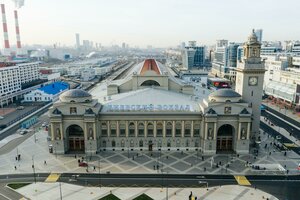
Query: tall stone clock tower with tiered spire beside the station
[[249, 80]]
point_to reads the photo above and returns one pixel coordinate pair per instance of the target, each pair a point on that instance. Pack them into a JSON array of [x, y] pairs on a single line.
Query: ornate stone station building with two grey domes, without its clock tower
[[150, 110]]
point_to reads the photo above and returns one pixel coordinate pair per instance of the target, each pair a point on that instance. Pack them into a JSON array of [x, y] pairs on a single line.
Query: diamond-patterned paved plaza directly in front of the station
[[34, 150]]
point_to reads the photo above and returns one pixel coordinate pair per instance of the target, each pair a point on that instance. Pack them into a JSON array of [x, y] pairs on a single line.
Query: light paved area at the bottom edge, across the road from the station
[[69, 192]]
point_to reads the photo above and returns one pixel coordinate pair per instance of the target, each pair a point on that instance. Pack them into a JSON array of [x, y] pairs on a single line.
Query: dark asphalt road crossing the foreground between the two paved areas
[[281, 186]]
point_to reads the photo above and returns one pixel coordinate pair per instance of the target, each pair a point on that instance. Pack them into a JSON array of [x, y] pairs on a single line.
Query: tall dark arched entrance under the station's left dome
[[75, 137]]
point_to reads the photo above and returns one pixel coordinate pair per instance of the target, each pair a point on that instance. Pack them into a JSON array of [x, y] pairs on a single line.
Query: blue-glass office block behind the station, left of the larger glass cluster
[[193, 56]]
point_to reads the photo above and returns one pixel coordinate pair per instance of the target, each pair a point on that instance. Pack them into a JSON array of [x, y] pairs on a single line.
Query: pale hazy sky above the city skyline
[[160, 23]]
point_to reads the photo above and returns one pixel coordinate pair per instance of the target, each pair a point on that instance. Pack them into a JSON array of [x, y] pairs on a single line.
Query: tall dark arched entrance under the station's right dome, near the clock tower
[[225, 138]]
